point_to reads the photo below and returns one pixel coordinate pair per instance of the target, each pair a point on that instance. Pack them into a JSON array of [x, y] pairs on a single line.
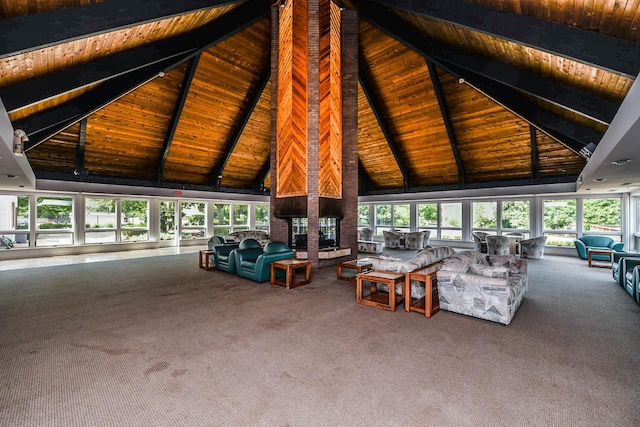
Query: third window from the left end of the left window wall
[[100, 220]]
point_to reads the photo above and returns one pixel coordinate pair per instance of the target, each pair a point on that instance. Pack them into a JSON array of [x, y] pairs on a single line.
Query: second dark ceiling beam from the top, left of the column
[[54, 84]]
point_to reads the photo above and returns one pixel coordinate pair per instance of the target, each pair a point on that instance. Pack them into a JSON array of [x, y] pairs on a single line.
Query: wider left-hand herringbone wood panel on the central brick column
[[292, 104]]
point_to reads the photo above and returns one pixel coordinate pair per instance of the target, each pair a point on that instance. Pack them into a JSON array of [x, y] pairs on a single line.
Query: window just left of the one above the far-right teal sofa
[[560, 222]]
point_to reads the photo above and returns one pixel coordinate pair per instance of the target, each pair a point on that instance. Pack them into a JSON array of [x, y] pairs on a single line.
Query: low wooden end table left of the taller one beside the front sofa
[[378, 299]]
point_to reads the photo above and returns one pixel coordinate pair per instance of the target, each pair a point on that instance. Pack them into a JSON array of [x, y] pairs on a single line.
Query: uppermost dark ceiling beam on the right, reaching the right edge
[[588, 47]]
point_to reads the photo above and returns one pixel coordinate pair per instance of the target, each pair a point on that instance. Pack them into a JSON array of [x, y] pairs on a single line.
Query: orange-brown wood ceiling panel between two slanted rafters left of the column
[[223, 82]]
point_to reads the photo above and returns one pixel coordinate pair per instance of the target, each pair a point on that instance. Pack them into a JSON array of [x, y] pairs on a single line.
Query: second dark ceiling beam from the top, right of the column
[[586, 104]]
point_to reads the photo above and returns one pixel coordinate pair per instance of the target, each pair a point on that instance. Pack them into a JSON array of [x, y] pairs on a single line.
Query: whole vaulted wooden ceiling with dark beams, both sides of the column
[[460, 94]]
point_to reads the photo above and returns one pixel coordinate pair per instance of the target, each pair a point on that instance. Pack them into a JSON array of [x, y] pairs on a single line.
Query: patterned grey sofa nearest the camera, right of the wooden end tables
[[488, 287]]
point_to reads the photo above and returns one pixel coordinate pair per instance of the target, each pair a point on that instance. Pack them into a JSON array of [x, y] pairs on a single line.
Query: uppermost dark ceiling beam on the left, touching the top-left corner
[[41, 30]]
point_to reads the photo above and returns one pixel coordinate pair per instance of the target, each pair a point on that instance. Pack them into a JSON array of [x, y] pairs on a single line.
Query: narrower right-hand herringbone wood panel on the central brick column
[[330, 113]]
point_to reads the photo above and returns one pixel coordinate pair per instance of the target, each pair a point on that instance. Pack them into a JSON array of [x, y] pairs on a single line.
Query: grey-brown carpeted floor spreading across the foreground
[[159, 342]]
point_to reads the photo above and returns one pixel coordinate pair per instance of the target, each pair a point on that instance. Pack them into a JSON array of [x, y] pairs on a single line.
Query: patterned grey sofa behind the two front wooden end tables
[[425, 257]]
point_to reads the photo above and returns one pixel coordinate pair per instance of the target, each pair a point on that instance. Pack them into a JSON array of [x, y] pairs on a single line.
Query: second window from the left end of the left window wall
[[53, 221]]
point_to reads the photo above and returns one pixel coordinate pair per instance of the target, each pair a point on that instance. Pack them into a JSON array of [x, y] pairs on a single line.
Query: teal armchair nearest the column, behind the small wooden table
[[255, 264]]
